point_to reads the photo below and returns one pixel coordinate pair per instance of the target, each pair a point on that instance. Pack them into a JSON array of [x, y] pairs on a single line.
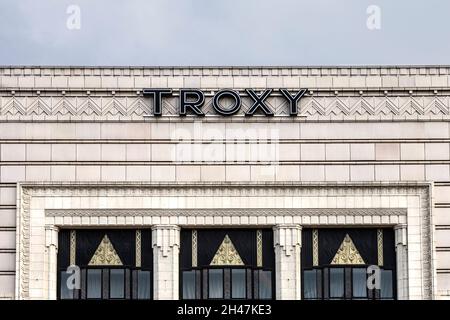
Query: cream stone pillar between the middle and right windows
[[287, 242]]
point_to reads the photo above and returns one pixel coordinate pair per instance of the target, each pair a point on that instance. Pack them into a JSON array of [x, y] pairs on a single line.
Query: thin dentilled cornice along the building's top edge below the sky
[[226, 70]]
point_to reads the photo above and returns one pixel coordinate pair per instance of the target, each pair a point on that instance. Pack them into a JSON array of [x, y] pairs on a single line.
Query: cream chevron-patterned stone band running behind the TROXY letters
[[108, 107]]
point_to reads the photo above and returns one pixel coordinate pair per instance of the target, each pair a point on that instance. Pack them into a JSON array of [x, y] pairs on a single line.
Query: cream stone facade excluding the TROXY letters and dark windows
[[79, 147]]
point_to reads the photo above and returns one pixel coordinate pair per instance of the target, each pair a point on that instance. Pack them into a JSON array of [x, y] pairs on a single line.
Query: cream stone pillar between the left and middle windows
[[166, 248]]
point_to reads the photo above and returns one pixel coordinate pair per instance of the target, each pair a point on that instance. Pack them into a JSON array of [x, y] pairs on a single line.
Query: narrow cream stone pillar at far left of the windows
[[51, 250]]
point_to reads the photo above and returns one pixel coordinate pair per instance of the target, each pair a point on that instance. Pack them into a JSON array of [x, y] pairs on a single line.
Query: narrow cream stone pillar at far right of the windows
[[401, 249]]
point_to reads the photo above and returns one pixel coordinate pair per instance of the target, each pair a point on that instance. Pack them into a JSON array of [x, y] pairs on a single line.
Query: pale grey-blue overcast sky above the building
[[224, 32]]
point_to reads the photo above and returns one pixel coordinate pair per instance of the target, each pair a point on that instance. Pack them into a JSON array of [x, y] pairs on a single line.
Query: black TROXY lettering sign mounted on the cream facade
[[191, 101]]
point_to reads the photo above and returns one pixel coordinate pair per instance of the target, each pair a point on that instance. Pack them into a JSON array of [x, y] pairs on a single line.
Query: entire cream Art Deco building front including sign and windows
[[225, 183]]
